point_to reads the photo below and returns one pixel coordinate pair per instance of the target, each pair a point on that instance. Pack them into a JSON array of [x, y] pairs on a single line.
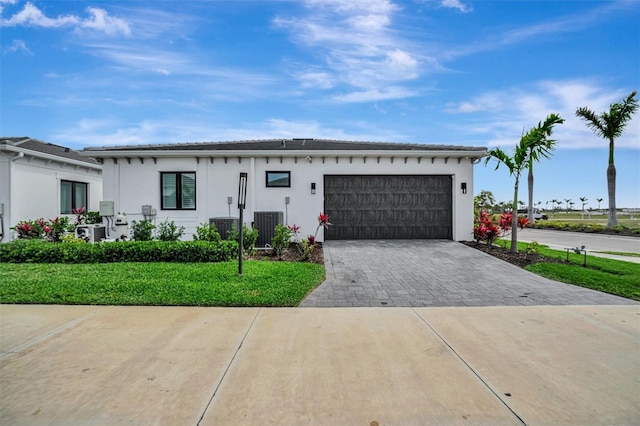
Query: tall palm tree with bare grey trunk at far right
[[610, 125]]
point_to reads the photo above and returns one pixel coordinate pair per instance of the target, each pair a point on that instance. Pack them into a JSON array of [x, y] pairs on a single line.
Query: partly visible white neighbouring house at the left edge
[[43, 180]]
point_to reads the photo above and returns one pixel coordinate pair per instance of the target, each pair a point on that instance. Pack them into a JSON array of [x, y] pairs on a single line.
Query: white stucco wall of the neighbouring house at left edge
[[30, 188]]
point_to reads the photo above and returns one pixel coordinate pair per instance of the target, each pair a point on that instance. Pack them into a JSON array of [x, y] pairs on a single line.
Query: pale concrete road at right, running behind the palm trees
[[594, 243]]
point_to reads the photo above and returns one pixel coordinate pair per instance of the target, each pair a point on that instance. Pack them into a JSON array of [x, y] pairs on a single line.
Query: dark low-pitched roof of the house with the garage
[[280, 145]]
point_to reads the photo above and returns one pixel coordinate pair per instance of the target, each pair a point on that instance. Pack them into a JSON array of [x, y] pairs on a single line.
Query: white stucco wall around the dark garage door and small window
[[133, 183]]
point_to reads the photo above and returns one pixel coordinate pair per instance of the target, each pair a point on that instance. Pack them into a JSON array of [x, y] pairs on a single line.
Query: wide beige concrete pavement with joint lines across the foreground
[[370, 366]]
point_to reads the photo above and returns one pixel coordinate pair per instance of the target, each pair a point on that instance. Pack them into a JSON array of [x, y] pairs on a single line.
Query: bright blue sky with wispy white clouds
[[479, 73]]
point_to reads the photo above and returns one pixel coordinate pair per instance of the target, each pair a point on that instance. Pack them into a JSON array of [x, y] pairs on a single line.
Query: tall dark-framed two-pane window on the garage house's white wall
[[177, 190]]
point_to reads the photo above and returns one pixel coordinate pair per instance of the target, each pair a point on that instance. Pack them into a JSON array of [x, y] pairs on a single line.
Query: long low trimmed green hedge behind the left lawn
[[36, 251]]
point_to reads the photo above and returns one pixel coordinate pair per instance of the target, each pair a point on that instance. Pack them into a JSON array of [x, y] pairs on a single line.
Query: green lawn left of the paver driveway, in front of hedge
[[189, 284]]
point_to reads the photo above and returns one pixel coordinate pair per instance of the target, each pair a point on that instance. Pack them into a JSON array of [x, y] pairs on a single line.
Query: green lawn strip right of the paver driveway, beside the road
[[607, 275]]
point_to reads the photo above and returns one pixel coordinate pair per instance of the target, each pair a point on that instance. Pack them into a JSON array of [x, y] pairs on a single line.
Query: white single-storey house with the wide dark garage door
[[368, 189]]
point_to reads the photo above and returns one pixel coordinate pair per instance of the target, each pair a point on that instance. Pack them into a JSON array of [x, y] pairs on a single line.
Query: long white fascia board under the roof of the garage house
[[288, 153]]
